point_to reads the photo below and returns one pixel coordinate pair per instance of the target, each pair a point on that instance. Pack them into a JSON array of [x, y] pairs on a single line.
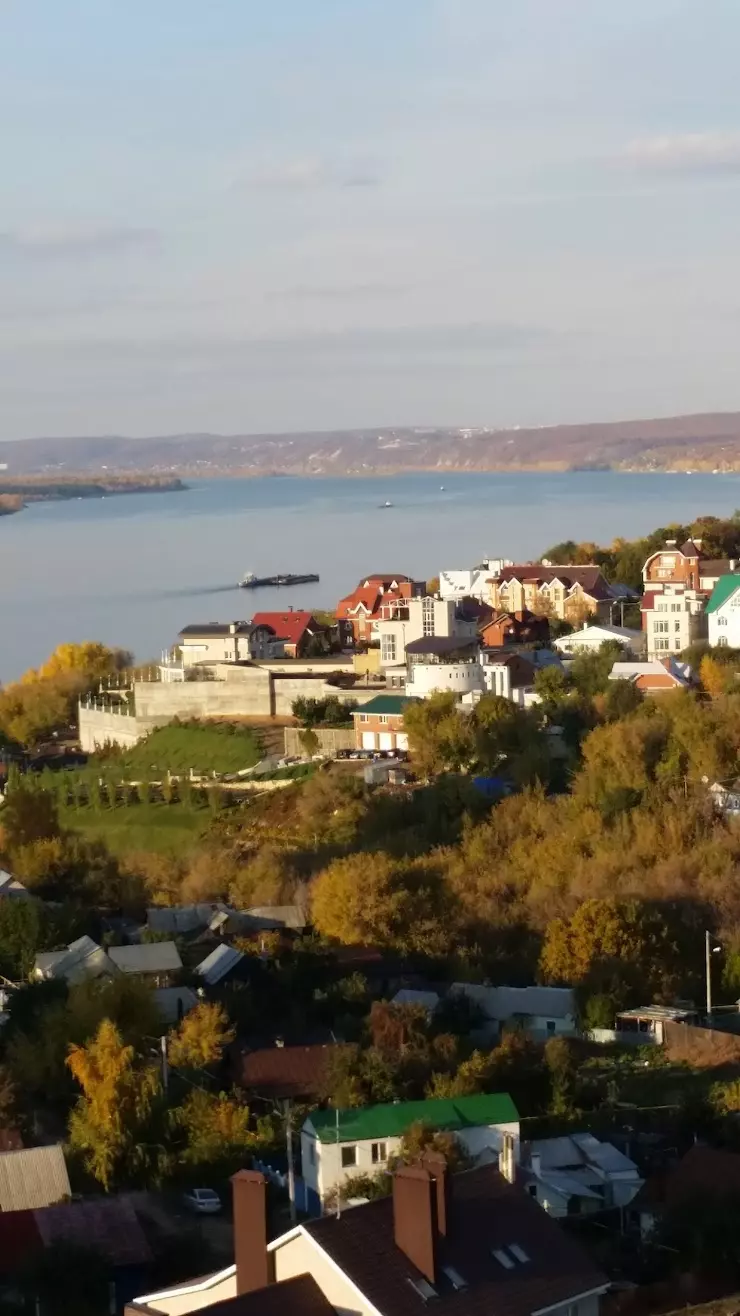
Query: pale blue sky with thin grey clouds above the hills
[[251, 216]]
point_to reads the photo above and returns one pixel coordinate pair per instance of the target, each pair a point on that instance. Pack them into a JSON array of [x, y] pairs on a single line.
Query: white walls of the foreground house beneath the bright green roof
[[327, 1167]]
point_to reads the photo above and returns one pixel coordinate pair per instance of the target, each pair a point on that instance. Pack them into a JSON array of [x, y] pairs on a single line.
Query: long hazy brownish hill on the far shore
[[679, 443]]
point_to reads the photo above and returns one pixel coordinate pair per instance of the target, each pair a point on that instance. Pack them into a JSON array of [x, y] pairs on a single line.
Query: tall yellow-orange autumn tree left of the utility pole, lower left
[[111, 1119]]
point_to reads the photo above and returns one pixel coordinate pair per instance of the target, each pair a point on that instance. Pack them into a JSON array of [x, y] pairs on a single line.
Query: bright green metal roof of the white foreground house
[[396, 1119]]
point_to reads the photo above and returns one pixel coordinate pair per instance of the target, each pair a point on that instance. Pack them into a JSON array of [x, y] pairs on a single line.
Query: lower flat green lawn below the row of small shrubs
[[165, 828]]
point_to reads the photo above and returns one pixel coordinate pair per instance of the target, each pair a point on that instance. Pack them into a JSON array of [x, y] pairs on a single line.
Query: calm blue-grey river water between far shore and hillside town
[[134, 570]]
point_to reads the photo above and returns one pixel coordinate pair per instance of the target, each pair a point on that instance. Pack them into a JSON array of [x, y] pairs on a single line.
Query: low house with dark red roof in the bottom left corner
[[110, 1226]]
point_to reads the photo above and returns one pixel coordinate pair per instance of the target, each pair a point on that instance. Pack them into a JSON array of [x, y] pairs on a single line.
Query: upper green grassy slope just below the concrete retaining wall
[[205, 747]]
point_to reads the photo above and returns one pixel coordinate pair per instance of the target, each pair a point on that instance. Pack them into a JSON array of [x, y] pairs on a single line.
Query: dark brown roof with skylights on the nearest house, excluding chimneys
[[487, 1214]]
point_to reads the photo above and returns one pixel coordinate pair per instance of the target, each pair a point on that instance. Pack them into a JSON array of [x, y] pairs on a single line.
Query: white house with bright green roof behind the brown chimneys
[[335, 1146]]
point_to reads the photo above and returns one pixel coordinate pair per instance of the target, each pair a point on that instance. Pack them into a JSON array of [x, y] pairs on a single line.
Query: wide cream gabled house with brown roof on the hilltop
[[568, 593]]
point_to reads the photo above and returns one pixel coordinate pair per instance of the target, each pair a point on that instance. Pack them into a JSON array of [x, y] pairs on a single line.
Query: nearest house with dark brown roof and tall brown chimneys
[[472, 1244]]
